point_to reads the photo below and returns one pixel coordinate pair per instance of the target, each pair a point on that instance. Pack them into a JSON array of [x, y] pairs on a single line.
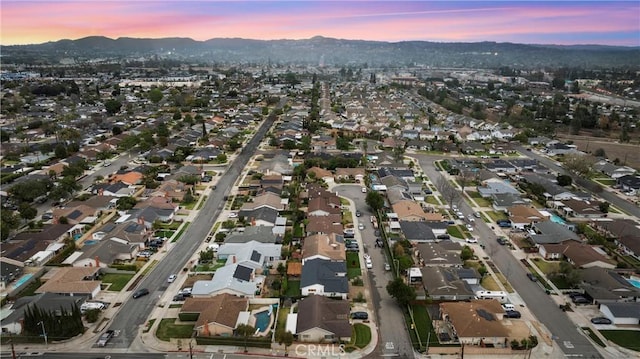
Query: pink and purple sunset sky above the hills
[[562, 22]]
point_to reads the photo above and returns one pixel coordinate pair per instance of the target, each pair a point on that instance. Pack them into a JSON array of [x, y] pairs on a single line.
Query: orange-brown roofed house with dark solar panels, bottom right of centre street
[[477, 322]]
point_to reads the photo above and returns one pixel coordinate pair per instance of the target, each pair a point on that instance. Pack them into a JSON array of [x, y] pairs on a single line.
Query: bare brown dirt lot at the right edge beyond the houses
[[613, 150]]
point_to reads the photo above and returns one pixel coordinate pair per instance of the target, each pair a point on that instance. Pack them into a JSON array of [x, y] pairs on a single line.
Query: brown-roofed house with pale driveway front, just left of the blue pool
[[217, 315]]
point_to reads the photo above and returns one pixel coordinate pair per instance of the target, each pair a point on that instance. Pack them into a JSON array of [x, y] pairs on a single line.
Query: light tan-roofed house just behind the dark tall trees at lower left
[[71, 281]]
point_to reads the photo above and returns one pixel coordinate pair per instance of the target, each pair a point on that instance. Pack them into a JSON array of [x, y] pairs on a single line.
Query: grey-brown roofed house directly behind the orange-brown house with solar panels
[[443, 283]]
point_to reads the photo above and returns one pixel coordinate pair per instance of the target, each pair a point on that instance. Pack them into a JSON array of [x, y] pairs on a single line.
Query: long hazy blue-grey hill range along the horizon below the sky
[[338, 52]]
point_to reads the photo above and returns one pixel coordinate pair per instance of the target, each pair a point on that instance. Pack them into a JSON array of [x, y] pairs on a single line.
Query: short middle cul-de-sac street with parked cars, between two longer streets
[[393, 336]]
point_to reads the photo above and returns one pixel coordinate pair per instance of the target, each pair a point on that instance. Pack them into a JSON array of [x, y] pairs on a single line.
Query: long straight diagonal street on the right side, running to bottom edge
[[560, 327]]
